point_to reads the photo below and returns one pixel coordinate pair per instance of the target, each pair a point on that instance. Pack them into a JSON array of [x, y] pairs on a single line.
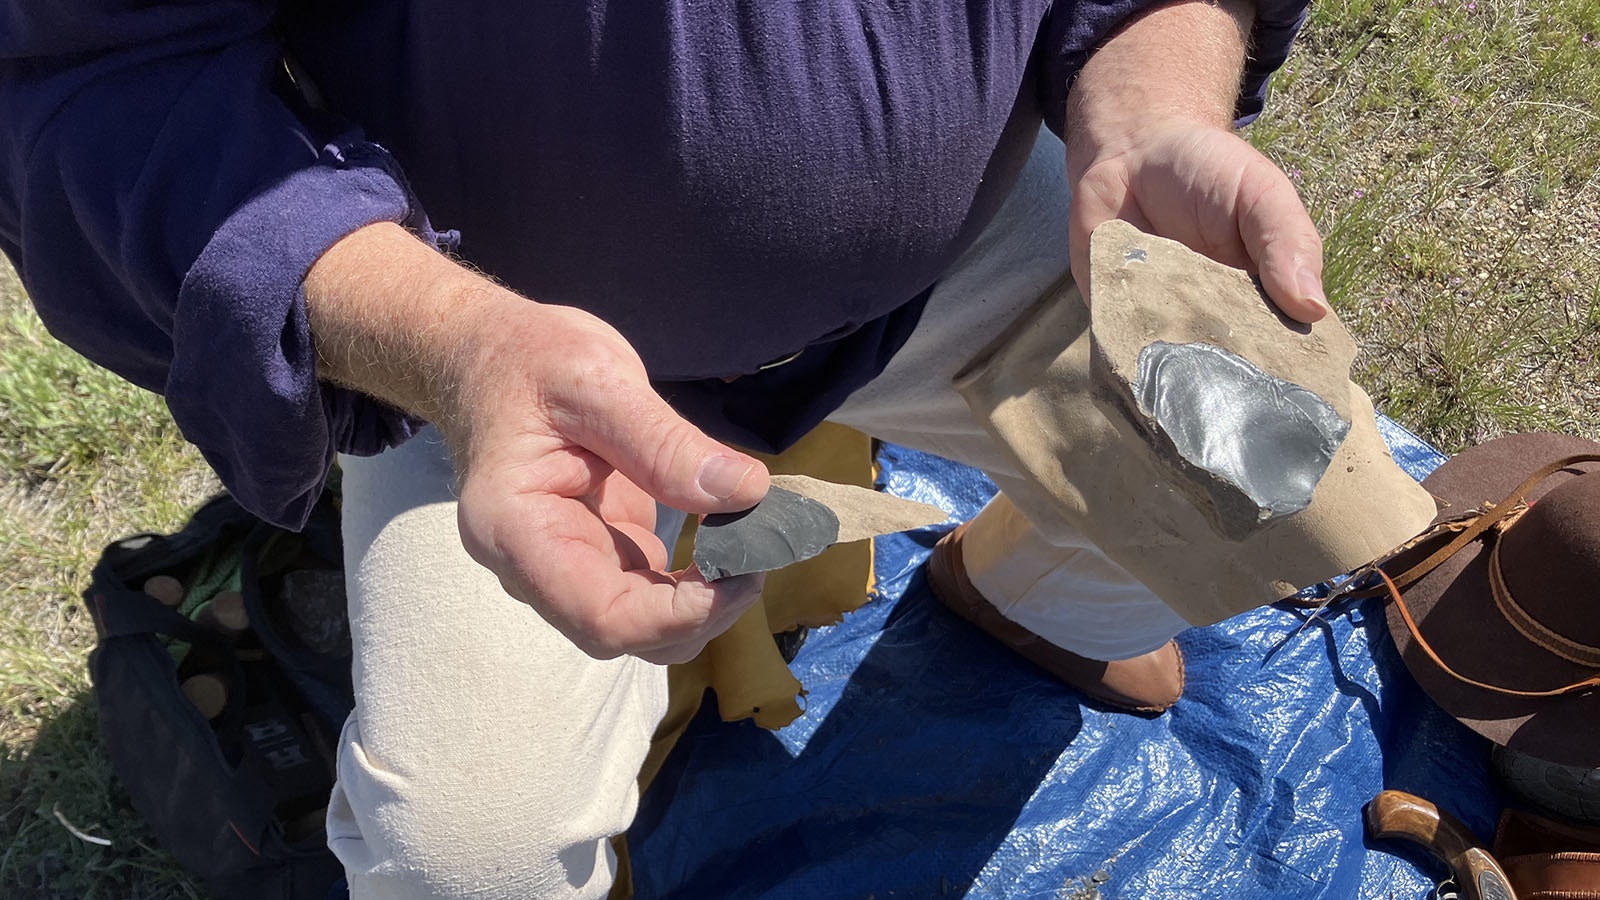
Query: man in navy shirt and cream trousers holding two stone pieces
[[654, 201]]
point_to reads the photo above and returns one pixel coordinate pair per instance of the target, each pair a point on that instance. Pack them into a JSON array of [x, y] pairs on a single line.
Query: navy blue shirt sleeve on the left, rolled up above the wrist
[[162, 196]]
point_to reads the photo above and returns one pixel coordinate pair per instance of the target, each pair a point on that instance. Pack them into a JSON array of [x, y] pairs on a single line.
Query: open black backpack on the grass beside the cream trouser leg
[[222, 707]]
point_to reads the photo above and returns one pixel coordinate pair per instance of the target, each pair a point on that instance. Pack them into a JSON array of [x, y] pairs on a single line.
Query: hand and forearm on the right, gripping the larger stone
[[1150, 142]]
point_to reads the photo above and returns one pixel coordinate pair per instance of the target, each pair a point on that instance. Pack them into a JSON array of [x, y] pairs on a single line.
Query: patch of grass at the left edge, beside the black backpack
[[87, 459]]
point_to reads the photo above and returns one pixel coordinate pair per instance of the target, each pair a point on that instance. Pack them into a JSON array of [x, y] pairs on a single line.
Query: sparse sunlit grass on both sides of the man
[[1450, 151]]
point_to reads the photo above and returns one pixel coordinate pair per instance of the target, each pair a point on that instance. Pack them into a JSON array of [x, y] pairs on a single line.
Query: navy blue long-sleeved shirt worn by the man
[[726, 183]]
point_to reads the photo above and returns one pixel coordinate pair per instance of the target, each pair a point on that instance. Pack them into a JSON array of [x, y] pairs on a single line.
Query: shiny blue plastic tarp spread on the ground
[[934, 763]]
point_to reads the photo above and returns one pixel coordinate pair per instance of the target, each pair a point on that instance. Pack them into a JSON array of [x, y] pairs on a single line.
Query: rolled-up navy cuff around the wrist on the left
[[244, 377]]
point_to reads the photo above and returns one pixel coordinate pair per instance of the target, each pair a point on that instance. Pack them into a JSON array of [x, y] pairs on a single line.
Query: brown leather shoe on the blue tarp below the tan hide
[[1145, 685]]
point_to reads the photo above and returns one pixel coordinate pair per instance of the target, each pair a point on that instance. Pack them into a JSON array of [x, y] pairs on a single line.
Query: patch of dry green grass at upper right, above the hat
[[1450, 153]]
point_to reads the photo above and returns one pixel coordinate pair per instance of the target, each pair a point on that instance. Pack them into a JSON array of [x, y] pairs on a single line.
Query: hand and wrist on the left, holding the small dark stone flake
[[562, 443]]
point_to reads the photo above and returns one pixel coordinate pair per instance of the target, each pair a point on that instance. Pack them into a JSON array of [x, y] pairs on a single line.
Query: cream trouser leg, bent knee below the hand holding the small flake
[[487, 757]]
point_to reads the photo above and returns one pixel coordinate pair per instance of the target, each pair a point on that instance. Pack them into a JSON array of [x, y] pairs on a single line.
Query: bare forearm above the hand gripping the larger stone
[[1182, 62]]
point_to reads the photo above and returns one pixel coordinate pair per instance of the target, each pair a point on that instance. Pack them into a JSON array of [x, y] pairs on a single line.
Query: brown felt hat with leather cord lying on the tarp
[[1543, 633]]
